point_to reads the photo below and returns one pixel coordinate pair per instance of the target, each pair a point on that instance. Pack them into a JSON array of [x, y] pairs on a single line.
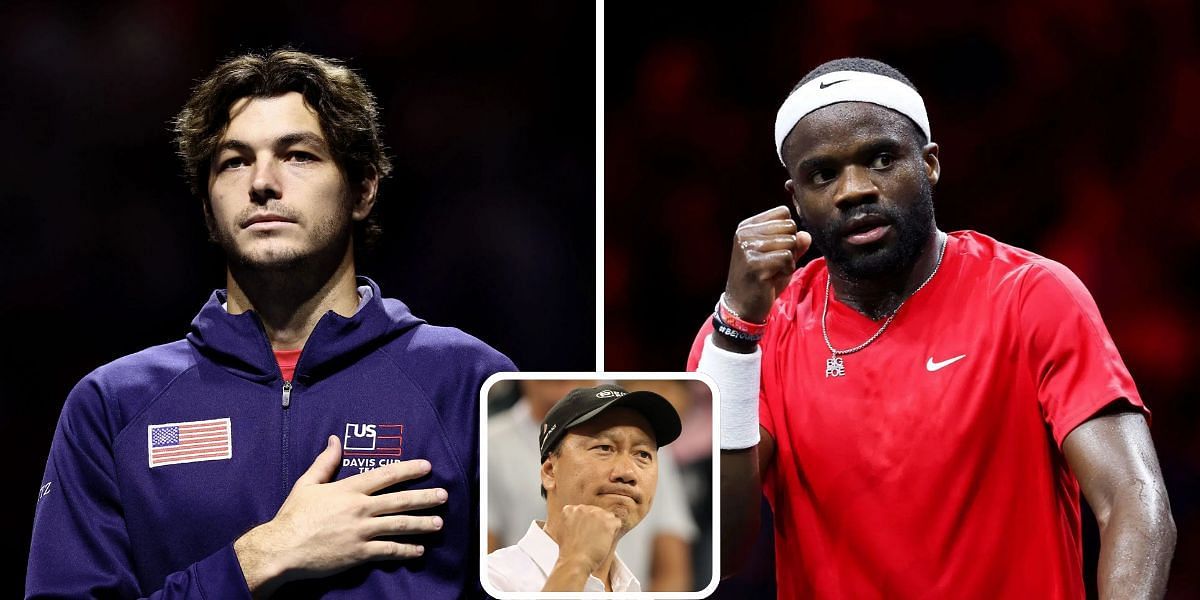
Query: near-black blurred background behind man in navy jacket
[[489, 220]]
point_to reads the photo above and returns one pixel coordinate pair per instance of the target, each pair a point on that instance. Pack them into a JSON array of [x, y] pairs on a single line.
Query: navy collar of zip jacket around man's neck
[[239, 344]]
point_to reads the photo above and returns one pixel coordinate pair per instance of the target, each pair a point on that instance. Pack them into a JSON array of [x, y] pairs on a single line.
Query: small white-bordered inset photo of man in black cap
[[599, 485]]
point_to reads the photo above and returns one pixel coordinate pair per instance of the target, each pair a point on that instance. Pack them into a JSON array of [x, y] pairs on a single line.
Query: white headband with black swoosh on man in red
[[849, 87]]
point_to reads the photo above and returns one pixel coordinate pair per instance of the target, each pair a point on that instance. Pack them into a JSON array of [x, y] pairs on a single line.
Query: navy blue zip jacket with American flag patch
[[163, 459]]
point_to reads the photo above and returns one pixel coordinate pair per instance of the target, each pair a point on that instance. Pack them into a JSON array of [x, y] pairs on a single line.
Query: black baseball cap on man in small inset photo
[[583, 405]]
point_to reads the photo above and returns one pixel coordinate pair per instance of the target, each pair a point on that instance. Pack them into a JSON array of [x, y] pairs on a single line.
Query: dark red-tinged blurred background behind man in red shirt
[[1069, 128]]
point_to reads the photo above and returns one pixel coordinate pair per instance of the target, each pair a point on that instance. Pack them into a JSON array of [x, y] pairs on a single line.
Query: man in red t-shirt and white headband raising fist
[[920, 409]]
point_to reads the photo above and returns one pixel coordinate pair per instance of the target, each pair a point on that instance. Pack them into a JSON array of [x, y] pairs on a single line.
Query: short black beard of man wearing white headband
[[914, 231]]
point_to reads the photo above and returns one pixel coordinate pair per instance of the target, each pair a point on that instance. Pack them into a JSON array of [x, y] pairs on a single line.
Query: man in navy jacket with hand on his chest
[[309, 437]]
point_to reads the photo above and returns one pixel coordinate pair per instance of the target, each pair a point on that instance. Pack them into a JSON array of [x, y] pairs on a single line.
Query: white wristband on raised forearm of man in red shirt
[[737, 379]]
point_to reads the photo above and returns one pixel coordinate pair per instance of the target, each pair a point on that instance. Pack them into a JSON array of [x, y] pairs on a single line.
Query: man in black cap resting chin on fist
[[599, 471]]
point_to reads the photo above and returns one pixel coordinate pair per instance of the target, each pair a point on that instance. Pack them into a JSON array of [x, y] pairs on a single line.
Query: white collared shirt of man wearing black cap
[[527, 566]]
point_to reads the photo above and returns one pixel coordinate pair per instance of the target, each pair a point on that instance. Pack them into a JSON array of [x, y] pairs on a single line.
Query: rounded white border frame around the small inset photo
[[715, 577]]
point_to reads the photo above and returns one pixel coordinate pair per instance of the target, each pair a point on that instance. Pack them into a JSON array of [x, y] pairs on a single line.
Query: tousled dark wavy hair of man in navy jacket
[[346, 109]]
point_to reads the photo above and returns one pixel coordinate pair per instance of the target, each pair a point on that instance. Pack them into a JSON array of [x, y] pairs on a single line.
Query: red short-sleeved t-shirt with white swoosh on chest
[[934, 469]]
